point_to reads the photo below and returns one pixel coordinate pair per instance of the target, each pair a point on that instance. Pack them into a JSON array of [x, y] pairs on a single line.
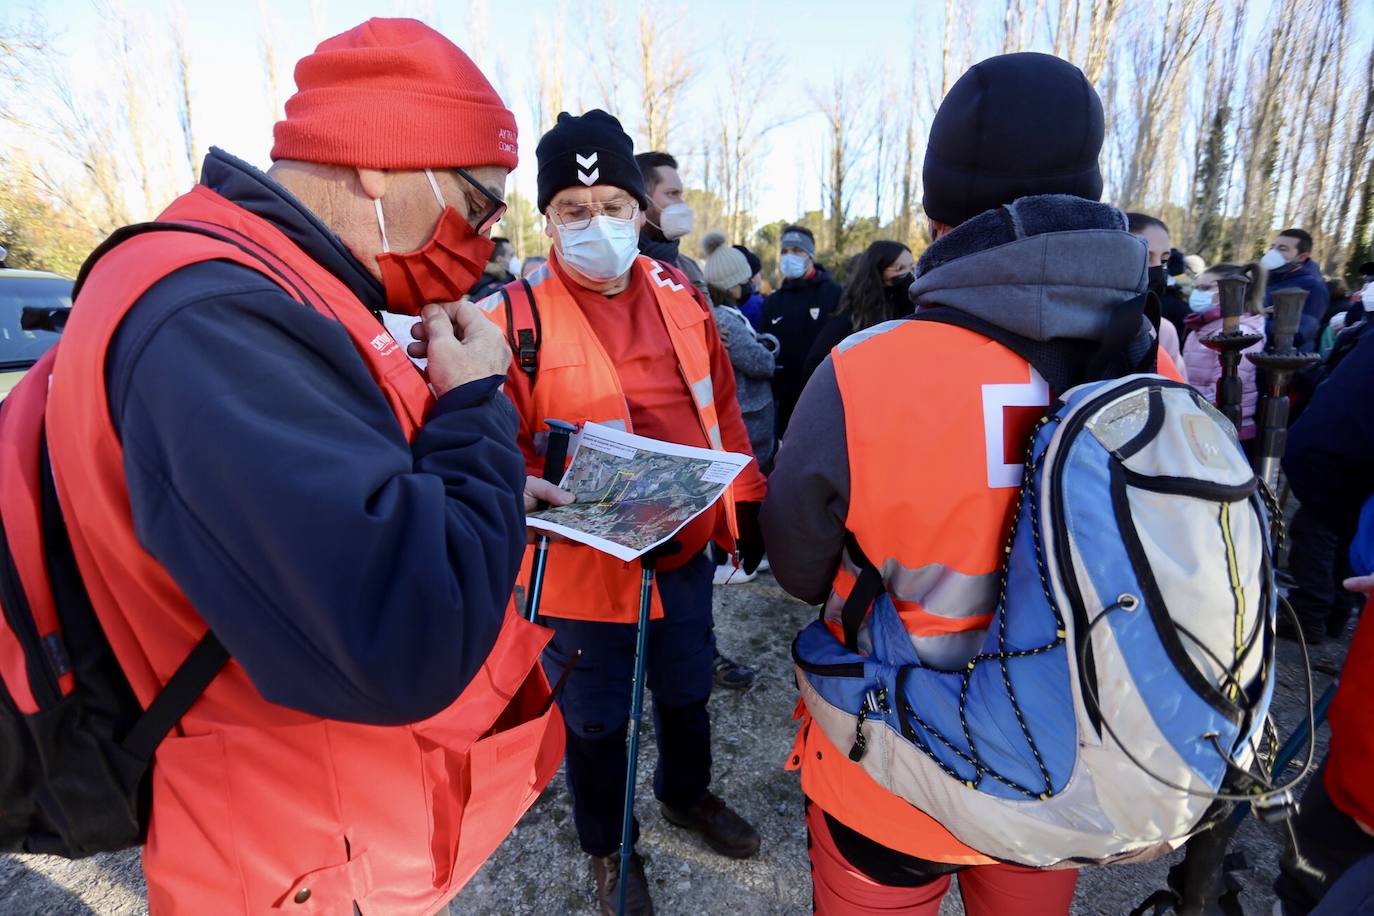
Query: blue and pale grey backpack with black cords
[[1129, 668]]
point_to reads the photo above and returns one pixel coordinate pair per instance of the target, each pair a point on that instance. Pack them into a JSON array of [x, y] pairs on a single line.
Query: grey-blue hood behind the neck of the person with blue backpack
[[1048, 267]]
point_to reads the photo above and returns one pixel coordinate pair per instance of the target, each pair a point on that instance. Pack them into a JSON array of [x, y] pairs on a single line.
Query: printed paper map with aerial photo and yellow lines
[[634, 494]]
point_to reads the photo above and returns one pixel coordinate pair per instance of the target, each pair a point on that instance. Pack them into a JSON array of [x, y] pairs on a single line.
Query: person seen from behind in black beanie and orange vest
[[890, 447]]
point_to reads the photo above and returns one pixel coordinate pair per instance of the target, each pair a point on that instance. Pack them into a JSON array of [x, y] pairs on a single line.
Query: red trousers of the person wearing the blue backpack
[[989, 891]]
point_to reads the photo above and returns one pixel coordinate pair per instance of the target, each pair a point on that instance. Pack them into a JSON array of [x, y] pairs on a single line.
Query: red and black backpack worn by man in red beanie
[[76, 746]]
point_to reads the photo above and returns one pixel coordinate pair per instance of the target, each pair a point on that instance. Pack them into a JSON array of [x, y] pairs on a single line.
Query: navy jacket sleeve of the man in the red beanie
[[355, 576]]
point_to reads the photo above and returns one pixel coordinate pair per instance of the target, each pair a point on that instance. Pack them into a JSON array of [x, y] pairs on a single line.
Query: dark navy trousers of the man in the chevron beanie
[[597, 697]]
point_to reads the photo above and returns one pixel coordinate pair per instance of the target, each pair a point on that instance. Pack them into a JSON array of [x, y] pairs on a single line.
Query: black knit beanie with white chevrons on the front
[[582, 152]]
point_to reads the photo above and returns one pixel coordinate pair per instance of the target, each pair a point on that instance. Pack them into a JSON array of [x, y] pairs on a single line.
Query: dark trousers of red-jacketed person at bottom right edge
[[1329, 844]]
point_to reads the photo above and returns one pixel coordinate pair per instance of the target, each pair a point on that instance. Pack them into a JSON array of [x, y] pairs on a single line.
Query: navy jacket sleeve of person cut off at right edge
[[1331, 451]]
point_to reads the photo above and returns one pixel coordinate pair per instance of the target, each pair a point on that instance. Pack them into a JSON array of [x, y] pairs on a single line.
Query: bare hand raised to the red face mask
[[461, 345]]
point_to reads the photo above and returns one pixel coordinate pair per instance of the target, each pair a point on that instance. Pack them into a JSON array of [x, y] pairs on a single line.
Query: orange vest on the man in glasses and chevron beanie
[[578, 382]]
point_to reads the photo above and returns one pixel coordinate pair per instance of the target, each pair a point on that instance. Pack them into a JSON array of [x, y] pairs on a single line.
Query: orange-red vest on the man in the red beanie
[[256, 807]]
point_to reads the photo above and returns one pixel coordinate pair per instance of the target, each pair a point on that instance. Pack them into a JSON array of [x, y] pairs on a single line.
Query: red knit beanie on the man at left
[[394, 94]]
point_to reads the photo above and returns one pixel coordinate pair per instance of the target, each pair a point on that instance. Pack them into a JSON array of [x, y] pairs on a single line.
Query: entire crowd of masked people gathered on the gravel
[[245, 455]]
